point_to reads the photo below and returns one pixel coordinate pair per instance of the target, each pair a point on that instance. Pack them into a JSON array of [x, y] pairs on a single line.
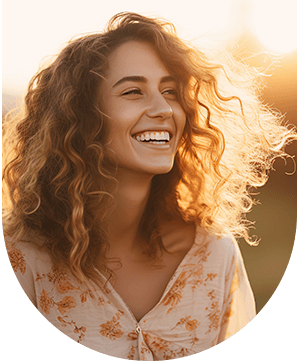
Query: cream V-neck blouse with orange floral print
[[207, 300]]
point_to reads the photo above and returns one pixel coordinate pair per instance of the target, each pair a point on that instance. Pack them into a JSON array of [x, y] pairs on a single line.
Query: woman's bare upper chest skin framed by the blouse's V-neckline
[[141, 282]]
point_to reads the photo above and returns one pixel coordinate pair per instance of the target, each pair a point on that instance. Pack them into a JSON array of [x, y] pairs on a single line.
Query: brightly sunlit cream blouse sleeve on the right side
[[239, 304]]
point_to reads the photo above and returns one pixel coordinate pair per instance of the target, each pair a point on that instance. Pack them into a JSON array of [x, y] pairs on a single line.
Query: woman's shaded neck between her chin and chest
[[131, 198]]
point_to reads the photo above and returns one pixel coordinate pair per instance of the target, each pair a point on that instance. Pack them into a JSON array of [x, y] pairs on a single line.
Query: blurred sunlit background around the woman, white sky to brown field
[[261, 32]]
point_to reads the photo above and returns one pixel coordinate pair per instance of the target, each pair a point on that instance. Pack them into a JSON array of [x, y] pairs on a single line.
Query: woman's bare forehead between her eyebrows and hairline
[[135, 58]]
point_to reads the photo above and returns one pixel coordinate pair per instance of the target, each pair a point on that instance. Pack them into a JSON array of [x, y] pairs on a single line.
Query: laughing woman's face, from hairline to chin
[[142, 102]]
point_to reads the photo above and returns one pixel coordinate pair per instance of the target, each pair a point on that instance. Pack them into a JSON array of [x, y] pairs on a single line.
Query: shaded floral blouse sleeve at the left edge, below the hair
[[22, 262]]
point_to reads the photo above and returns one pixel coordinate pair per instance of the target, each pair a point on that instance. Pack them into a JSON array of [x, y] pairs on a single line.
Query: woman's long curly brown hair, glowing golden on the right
[[57, 165]]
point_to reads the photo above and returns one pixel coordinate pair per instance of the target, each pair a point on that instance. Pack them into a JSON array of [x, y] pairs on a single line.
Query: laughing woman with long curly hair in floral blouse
[[127, 180]]
